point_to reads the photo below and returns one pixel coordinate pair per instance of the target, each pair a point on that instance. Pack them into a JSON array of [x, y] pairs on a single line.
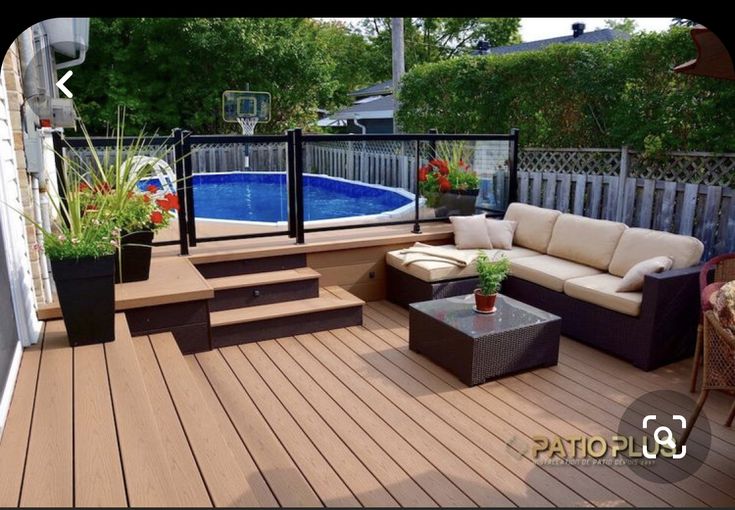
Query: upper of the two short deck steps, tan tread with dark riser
[[247, 290]]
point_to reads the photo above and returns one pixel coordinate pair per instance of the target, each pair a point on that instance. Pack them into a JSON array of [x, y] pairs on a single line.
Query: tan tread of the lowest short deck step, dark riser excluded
[[330, 298]]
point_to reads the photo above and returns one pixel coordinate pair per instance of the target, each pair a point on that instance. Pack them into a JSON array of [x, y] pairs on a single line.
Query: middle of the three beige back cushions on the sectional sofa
[[585, 240]]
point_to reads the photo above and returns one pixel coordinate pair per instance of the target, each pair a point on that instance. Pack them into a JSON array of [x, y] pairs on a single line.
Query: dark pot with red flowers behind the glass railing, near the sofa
[[448, 182]]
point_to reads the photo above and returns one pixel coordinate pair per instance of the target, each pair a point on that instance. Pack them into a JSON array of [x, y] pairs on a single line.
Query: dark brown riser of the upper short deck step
[[256, 295]]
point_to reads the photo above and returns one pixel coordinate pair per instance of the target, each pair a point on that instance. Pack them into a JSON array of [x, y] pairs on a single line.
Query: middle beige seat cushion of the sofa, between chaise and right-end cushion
[[550, 272]]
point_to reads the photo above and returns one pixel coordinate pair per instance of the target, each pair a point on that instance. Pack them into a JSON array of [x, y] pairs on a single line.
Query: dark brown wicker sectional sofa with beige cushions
[[570, 266]]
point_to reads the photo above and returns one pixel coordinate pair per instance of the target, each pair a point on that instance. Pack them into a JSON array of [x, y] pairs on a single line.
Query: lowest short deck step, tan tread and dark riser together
[[333, 308]]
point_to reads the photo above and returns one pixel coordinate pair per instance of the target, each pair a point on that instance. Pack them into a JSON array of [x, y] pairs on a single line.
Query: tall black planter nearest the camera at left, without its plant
[[86, 291]]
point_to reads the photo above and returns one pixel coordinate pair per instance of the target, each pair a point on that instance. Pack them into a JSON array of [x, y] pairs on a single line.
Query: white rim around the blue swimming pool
[[405, 212]]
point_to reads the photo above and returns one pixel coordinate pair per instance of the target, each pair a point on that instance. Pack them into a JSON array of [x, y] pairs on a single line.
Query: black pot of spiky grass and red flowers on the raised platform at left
[[119, 180]]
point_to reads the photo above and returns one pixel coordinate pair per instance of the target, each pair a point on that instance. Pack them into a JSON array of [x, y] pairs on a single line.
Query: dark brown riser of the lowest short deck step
[[254, 331]]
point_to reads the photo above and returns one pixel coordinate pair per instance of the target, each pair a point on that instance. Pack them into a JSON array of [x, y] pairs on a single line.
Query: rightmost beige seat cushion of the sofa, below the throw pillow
[[600, 290]]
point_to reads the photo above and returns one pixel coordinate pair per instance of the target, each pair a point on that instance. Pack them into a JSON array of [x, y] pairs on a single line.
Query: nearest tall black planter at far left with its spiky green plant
[[80, 245]]
